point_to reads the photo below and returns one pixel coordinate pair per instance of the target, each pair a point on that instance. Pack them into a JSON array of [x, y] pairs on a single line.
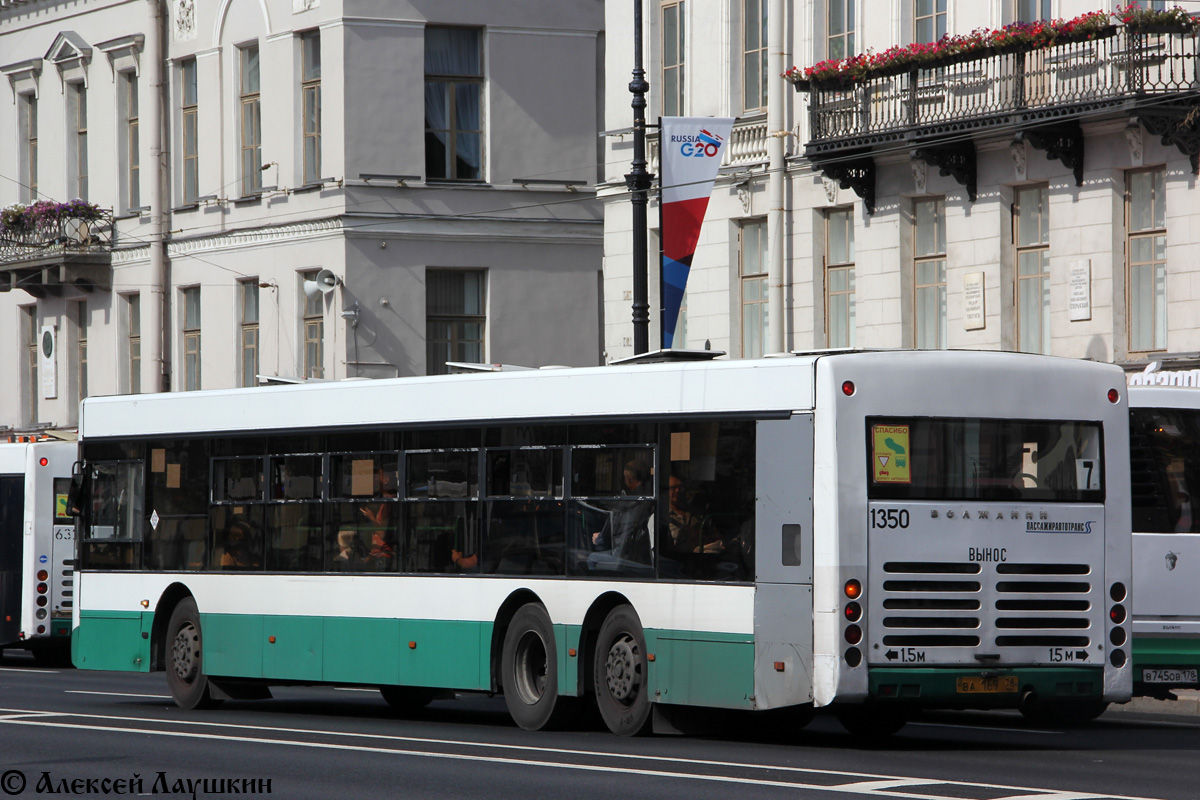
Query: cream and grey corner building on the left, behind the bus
[[415, 165]]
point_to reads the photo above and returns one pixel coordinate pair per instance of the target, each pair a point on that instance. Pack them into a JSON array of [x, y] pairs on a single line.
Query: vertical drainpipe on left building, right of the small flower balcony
[[155, 309]]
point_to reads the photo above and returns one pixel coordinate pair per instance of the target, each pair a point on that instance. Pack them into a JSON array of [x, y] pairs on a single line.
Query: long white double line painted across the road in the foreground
[[859, 787]]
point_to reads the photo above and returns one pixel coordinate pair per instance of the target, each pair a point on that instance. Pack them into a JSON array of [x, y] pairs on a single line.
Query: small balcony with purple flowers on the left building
[[46, 248]]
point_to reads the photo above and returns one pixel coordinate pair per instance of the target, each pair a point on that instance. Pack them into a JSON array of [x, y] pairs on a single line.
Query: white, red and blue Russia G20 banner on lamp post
[[692, 153]]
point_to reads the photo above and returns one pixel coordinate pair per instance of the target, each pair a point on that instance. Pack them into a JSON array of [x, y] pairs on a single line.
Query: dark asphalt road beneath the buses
[[62, 729]]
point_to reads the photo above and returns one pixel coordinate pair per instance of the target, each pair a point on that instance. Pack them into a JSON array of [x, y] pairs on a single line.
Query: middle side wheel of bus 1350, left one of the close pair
[[530, 670]]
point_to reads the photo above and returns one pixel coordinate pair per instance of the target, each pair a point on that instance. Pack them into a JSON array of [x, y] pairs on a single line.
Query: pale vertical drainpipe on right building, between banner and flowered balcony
[[777, 173]]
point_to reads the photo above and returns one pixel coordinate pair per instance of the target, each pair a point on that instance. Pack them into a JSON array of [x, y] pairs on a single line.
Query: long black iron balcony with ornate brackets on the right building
[[937, 109]]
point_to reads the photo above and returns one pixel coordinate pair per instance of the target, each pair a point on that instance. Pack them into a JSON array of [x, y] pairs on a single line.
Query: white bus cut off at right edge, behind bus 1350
[[1165, 477]]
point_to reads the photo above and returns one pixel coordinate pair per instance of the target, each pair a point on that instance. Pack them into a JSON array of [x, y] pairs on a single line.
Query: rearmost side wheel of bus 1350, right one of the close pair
[[621, 676]]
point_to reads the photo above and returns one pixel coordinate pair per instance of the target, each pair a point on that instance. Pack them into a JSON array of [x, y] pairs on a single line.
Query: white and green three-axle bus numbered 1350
[[874, 532]]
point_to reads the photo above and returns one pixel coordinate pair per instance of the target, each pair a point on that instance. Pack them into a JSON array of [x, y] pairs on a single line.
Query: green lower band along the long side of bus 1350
[[686, 667]]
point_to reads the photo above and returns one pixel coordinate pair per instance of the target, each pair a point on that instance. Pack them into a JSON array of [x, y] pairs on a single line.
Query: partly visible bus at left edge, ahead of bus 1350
[[37, 548]]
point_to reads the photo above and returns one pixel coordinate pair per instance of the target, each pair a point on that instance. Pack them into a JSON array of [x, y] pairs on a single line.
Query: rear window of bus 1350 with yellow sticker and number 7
[[1042, 461]]
